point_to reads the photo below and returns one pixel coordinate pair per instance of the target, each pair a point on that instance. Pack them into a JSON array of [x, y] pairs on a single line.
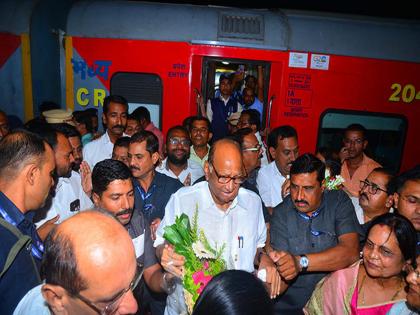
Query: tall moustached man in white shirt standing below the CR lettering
[[115, 112]]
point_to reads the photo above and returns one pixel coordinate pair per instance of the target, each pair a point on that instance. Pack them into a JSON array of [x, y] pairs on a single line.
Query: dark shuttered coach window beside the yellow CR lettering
[[140, 89]]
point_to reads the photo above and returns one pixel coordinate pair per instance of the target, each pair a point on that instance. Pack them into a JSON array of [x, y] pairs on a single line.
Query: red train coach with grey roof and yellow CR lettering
[[321, 72]]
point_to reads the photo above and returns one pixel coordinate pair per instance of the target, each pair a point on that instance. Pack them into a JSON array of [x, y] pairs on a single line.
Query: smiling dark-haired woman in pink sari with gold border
[[373, 285]]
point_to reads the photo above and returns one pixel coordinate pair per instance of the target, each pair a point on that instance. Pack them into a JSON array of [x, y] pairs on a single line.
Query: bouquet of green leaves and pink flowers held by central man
[[202, 262]]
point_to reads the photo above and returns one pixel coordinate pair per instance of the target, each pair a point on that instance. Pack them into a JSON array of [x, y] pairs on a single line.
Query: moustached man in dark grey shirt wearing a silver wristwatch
[[313, 232]]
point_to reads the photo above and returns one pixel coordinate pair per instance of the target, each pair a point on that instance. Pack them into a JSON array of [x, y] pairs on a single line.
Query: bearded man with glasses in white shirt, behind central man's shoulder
[[177, 164]]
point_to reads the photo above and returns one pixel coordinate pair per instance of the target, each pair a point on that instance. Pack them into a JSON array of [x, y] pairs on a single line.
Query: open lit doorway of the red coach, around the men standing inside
[[238, 69]]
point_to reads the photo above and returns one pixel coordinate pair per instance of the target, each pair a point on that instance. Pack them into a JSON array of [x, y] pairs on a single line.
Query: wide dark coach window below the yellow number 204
[[385, 133]]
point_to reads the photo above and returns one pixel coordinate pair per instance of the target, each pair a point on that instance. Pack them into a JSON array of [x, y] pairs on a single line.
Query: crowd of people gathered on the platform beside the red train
[[83, 216]]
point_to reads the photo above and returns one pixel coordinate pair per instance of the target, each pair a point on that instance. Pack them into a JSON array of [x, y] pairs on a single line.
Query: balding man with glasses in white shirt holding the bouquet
[[226, 213]]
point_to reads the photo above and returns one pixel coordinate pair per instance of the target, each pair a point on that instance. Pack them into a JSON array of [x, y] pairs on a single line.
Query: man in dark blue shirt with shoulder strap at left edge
[[26, 176]]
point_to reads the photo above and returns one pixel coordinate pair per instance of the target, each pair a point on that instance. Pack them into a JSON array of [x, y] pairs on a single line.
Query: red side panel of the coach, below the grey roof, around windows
[[305, 84]]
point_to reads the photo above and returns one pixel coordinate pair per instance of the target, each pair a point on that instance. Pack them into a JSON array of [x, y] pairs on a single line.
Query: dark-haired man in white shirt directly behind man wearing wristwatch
[[272, 181]]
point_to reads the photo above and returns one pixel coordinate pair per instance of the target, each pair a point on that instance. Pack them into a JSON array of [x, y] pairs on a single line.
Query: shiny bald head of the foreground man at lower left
[[85, 248]]
